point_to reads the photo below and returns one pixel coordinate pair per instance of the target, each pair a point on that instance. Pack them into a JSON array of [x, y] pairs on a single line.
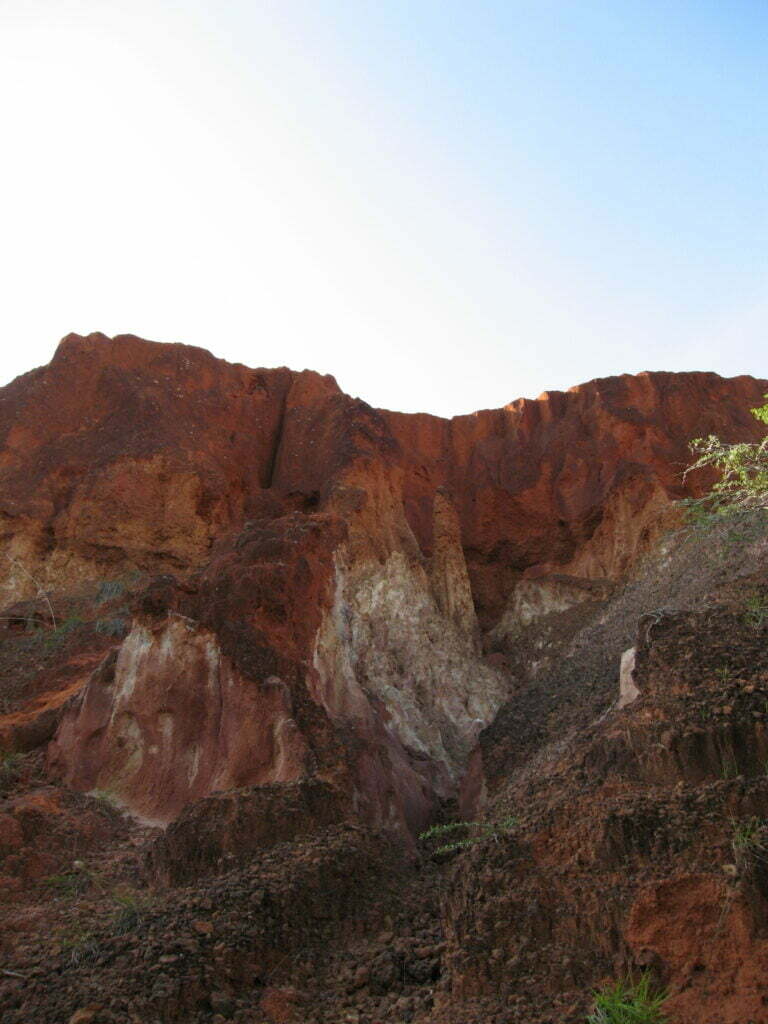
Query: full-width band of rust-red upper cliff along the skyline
[[124, 453]]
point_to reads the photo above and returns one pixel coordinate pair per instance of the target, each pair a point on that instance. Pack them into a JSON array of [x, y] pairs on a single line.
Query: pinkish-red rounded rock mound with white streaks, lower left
[[168, 719]]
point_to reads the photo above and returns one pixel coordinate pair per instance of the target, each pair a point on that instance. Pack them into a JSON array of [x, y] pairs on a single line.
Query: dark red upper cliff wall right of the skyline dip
[[575, 483]]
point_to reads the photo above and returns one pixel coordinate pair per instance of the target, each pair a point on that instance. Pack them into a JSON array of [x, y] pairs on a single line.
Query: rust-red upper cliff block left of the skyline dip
[[123, 454]]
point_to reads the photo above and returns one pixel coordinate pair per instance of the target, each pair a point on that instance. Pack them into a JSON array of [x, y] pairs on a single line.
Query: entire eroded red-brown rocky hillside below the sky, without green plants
[[287, 631]]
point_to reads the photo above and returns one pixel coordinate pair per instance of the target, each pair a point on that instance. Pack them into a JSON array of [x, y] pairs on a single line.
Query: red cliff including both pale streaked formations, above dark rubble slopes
[[332, 566]]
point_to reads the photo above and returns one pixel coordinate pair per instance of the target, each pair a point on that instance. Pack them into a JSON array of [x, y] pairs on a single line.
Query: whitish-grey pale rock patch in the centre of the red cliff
[[387, 648]]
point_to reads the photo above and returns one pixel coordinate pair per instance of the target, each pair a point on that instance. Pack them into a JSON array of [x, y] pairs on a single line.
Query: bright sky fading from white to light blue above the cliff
[[446, 204]]
